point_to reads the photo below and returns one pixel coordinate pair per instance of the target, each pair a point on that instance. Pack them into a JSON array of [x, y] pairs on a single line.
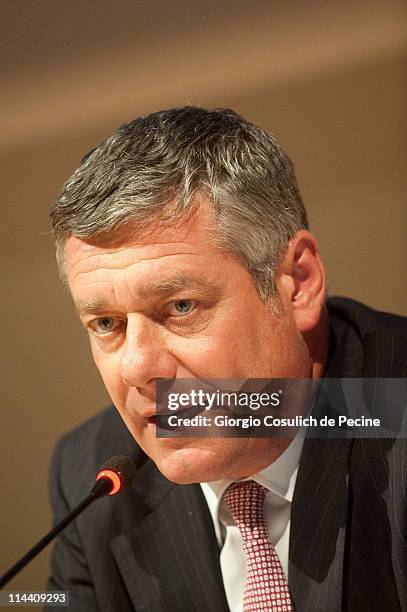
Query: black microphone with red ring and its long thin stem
[[115, 475]]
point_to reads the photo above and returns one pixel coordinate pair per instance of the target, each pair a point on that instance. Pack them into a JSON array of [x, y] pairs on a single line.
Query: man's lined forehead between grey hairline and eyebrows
[[159, 261]]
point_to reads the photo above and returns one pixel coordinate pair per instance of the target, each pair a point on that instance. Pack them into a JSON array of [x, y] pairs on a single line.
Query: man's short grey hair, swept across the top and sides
[[151, 170]]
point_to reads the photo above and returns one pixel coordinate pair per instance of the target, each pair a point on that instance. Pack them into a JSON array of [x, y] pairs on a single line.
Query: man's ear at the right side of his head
[[301, 281]]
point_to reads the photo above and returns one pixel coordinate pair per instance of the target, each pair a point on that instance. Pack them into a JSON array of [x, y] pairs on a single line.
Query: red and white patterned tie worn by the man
[[266, 587]]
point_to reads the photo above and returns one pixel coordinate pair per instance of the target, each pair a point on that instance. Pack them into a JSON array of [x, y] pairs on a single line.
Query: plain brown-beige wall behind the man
[[329, 79]]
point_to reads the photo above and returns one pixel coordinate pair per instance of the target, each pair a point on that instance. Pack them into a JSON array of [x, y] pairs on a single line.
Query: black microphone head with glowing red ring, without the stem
[[115, 475]]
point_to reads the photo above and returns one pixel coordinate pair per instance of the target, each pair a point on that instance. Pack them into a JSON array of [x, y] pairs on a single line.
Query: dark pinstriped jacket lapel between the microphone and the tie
[[165, 547]]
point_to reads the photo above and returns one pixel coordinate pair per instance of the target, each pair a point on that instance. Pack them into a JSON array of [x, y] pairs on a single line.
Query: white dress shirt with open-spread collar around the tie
[[279, 478]]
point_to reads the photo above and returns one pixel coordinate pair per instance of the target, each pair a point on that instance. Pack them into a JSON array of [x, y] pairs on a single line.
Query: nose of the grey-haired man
[[145, 355]]
